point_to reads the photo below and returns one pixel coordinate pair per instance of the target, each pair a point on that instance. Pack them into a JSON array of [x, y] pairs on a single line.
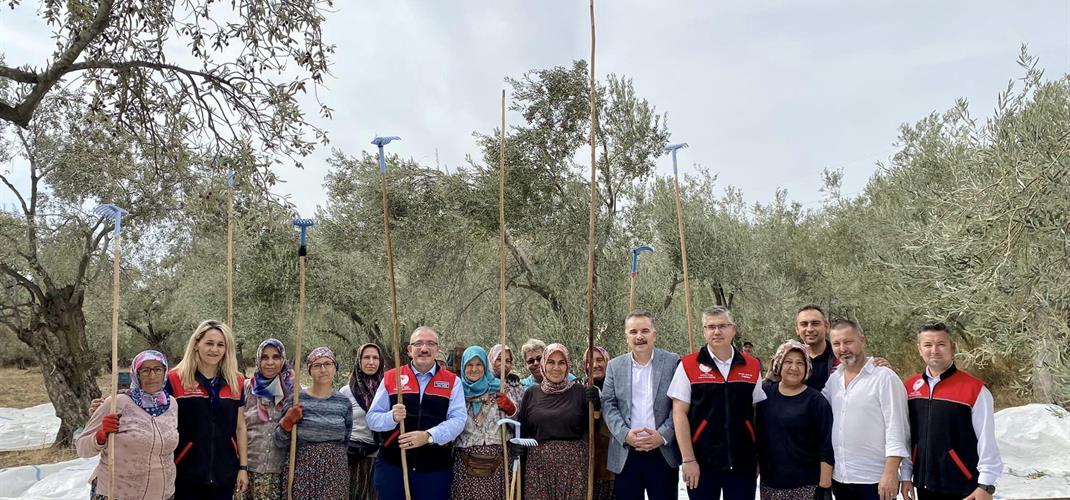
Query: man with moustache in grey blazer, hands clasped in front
[[644, 453]]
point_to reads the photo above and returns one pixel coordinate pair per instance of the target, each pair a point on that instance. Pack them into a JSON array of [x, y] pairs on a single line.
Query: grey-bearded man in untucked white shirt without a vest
[[869, 420]]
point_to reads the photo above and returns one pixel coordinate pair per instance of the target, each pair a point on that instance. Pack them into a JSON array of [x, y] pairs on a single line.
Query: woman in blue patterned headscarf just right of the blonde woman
[[265, 395]]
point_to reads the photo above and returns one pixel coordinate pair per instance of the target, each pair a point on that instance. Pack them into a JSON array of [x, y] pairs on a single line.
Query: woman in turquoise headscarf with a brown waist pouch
[[479, 471]]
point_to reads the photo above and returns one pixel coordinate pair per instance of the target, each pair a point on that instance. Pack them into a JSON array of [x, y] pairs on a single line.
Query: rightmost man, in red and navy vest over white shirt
[[952, 417]]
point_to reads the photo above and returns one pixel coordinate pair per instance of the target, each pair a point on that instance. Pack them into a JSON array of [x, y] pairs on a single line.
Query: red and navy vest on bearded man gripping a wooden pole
[[421, 415]]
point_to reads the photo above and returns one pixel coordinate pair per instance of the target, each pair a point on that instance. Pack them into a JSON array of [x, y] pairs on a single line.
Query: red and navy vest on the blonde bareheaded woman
[[207, 454]]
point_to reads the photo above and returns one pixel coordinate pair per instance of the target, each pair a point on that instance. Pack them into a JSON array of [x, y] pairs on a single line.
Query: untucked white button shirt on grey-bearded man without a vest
[[869, 422]]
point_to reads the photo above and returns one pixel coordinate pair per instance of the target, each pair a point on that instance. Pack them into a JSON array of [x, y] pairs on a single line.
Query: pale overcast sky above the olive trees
[[768, 94]]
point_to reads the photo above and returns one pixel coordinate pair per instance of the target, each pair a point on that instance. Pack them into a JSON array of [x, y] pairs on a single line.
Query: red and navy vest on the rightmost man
[[943, 443]]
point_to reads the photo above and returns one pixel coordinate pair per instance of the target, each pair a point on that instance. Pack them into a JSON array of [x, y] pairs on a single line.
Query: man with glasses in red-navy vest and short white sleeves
[[714, 395]]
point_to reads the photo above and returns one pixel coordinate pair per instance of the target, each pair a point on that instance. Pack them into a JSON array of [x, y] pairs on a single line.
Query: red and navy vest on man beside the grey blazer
[[723, 412]]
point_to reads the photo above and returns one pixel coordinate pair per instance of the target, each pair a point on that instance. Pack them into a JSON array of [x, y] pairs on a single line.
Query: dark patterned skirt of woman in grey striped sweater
[[322, 473]]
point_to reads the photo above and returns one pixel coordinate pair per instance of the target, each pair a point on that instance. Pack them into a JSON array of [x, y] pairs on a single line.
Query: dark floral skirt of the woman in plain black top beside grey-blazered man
[[557, 471]]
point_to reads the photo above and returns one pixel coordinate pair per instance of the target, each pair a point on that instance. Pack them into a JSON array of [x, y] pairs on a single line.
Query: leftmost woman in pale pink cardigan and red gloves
[[146, 431]]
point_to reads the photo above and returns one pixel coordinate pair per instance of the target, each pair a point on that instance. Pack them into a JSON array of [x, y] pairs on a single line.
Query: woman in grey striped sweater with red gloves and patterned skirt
[[322, 466]]
